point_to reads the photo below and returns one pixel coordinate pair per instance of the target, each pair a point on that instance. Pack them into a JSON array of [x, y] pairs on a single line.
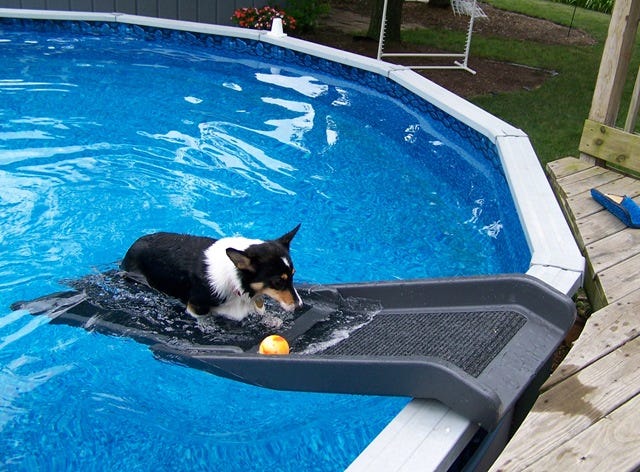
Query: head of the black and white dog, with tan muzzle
[[267, 269]]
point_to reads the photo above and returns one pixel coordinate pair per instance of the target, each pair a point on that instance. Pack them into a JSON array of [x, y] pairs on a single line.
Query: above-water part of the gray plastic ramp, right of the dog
[[475, 344]]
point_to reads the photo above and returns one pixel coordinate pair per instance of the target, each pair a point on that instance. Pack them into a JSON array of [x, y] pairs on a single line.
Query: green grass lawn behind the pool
[[552, 115]]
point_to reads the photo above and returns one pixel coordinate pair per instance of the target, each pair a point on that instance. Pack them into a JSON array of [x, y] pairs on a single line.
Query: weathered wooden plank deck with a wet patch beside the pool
[[587, 417]]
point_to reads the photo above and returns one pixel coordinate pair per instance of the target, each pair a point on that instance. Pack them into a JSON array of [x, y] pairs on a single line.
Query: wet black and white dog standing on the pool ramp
[[228, 276]]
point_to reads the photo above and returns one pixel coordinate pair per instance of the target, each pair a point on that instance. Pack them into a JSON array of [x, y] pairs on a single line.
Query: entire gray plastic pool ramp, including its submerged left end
[[476, 344]]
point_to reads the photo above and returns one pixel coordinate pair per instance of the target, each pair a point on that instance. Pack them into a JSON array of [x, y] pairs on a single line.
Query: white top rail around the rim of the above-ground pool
[[425, 435]]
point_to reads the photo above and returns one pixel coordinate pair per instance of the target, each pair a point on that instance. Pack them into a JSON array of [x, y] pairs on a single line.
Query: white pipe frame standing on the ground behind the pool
[[460, 7]]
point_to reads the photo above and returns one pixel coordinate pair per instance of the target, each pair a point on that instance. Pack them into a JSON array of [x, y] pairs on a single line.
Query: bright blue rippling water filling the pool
[[105, 137]]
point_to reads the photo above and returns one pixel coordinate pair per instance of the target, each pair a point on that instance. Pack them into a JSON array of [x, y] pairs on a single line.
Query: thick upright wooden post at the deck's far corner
[[615, 62]]
